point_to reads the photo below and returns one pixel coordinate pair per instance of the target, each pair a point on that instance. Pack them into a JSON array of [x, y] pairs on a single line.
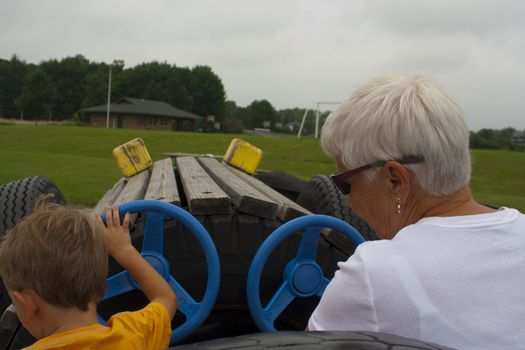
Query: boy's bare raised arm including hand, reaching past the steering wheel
[[118, 242]]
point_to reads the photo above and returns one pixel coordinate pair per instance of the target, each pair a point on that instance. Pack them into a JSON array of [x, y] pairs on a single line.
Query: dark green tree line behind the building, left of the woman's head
[[59, 89]]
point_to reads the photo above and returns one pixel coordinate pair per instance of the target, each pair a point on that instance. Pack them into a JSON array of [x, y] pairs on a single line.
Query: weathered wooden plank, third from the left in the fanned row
[[162, 184]]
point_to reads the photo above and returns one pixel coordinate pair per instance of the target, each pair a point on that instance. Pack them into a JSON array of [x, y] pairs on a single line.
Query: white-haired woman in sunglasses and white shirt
[[448, 269]]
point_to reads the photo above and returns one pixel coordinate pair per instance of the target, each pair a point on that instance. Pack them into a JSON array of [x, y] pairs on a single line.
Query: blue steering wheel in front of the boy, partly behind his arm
[[153, 251]]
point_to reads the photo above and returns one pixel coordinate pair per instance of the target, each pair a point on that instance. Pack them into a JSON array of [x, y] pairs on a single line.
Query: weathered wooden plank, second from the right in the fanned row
[[246, 198]]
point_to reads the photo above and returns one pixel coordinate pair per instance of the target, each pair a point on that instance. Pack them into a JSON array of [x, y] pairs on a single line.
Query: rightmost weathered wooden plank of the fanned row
[[287, 209]]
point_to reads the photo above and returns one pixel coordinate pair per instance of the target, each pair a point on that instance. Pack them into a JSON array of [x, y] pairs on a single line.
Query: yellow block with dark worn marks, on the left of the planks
[[132, 157]]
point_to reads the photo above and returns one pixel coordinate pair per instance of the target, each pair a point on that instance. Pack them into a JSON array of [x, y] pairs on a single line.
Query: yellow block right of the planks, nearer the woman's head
[[243, 155]]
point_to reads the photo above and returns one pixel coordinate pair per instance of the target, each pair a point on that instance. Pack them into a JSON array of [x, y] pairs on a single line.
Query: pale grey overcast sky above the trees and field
[[295, 53]]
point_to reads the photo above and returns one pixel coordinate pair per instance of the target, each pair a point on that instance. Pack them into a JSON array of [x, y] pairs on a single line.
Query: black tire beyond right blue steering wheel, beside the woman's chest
[[322, 197]]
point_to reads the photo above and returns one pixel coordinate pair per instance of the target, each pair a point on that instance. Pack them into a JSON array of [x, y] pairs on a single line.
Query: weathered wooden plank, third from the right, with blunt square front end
[[203, 194]]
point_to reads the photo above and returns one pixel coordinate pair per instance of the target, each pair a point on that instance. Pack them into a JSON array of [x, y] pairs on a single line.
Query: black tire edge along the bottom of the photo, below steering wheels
[[314, 340]]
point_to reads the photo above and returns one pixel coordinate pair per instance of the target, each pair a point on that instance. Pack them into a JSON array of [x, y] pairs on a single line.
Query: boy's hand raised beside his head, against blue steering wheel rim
[[118, 239]]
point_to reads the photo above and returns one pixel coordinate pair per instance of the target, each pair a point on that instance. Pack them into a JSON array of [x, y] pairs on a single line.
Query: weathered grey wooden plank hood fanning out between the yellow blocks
[[203, 186]]
